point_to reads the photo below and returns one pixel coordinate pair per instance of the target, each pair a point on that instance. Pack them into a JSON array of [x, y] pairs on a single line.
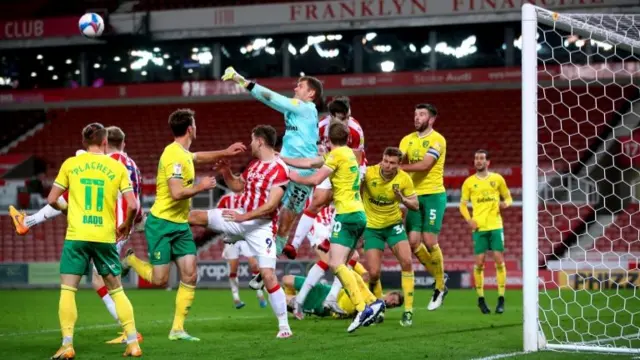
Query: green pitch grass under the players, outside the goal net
[[29, 330]]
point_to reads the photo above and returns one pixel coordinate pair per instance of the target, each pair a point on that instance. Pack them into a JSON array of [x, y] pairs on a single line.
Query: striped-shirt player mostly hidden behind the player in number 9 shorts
[[232, 253]]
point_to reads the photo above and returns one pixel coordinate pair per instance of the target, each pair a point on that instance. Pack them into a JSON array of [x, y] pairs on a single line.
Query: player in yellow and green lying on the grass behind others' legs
[[314, 303]]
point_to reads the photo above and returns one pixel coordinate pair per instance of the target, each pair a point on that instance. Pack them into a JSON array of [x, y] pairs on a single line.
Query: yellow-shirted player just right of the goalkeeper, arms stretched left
[[342, 168]]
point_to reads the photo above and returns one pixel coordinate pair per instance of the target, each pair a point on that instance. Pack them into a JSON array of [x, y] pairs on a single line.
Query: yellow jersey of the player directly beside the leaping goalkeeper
[[345, 180]]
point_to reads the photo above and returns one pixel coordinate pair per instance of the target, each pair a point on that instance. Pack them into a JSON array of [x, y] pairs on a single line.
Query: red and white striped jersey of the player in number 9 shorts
[[259, 178]]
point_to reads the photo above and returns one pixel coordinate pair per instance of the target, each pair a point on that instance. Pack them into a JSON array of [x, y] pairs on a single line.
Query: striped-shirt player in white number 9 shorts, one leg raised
[[262, 185]]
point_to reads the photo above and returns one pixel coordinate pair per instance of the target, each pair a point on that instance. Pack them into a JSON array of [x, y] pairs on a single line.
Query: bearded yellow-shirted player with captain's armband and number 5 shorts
[[424, 152]]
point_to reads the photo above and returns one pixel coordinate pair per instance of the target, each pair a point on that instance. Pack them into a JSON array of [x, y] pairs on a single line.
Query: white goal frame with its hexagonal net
[[580, 112]]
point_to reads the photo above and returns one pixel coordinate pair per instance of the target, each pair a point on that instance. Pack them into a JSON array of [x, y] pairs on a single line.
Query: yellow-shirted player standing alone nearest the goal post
[[489, 194]]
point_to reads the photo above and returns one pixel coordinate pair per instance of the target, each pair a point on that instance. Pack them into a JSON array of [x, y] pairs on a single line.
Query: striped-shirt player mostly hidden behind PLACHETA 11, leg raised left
[[115, 149]]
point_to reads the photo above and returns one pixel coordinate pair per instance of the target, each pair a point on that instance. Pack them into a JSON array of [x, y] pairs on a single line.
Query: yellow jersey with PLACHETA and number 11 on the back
[[93, 181]]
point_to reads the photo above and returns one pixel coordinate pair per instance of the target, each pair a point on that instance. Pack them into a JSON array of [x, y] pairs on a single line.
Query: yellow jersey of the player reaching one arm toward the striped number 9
[[176, 162]]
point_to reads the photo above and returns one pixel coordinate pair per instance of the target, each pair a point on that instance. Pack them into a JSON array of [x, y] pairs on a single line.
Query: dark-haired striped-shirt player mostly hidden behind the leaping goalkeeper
[[339, 110]]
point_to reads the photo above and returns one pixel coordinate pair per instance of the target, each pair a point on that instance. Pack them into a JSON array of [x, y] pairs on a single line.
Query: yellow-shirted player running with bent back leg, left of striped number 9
[[168, 234]]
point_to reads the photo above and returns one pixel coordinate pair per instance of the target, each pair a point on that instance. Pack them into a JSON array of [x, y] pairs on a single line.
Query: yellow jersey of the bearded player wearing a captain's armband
[[414, 149]]
